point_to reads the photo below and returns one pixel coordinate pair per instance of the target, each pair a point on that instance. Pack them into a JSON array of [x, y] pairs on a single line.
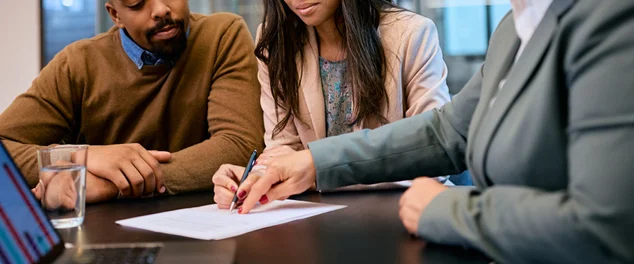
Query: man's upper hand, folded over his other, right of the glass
[[133, 169]]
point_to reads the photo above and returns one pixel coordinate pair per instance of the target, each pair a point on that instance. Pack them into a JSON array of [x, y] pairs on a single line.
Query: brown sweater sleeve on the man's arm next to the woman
[[236, 130]]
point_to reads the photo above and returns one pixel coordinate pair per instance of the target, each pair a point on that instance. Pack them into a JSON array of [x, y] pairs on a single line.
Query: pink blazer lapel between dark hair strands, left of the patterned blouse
[[310, 87]]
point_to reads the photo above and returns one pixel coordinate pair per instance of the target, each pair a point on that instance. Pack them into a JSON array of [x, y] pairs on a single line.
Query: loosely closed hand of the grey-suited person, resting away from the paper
[[415, 200]]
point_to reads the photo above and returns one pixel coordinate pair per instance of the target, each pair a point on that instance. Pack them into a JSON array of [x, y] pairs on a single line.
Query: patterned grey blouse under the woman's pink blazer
[[337, 97]]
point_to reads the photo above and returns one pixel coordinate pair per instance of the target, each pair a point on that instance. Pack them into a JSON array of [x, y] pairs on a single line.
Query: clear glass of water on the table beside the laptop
[[63, 184]]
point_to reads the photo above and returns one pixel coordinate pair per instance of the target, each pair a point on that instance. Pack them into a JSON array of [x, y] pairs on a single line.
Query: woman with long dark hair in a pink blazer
[[329, 67]]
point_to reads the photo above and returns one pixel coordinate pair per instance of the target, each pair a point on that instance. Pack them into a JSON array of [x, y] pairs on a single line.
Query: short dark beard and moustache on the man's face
[[169, 49]]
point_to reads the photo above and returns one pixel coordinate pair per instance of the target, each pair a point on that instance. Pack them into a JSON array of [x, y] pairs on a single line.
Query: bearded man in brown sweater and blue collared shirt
[[164, 99]]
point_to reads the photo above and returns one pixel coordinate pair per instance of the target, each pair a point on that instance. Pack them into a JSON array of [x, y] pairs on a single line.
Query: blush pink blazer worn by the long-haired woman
[[415, 81]]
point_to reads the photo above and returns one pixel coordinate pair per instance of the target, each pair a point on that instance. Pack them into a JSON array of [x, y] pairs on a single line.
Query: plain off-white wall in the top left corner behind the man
[[19, 47]]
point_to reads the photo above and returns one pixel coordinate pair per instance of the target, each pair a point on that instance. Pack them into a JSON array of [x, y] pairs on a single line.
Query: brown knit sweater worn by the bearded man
[[205, 109]]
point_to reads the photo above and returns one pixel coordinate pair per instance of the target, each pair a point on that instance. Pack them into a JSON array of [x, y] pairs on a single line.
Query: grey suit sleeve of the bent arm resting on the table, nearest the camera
[[590, 221]]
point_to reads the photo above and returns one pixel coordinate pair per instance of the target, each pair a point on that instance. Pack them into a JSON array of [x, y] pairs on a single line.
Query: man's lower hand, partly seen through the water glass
[[62, 194]]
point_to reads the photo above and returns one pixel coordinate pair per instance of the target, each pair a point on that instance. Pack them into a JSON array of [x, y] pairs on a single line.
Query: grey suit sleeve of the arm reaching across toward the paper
[[432, 143]]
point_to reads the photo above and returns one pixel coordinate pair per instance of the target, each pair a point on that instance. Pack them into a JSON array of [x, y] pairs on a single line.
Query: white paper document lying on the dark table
[[208, 222]]
